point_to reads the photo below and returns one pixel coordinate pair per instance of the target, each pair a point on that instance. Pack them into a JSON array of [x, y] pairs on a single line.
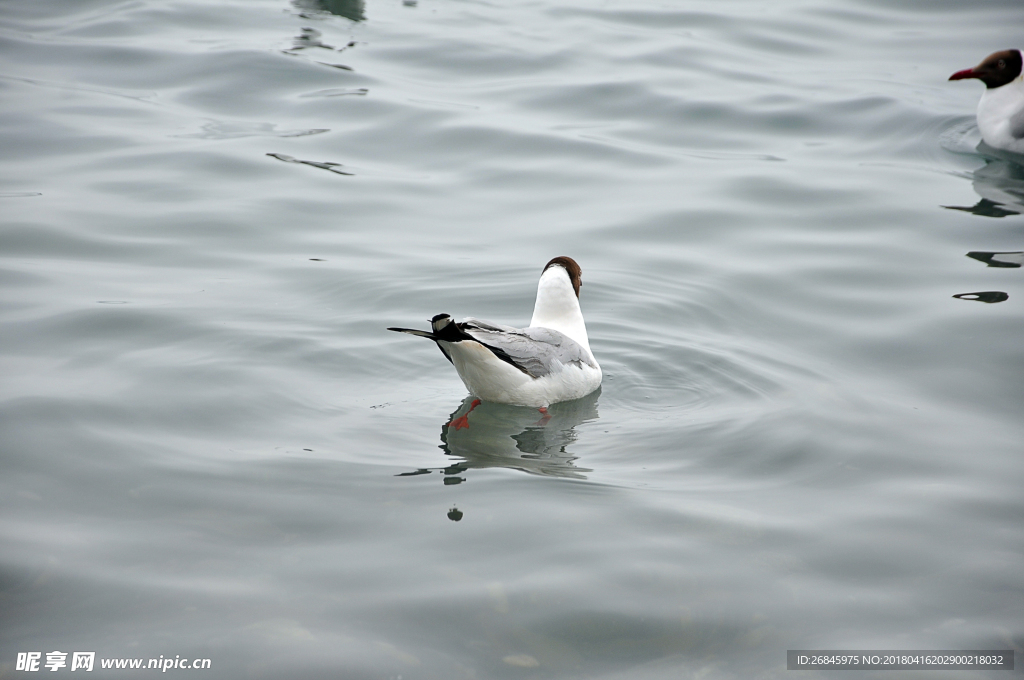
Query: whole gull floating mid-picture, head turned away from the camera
[[548, 362]]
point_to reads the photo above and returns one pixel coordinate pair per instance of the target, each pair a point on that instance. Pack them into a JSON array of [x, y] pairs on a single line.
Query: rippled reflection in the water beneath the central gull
[[485, 436]]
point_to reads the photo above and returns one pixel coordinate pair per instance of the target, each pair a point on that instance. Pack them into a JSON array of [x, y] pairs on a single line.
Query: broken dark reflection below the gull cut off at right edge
[[1000, 184]]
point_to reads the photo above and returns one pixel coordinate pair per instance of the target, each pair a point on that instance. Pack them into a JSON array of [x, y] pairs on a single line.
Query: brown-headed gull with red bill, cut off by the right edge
[[1001, 112]]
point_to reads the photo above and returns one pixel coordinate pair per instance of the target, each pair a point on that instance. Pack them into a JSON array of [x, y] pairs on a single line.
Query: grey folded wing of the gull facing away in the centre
[[539, 352]]
